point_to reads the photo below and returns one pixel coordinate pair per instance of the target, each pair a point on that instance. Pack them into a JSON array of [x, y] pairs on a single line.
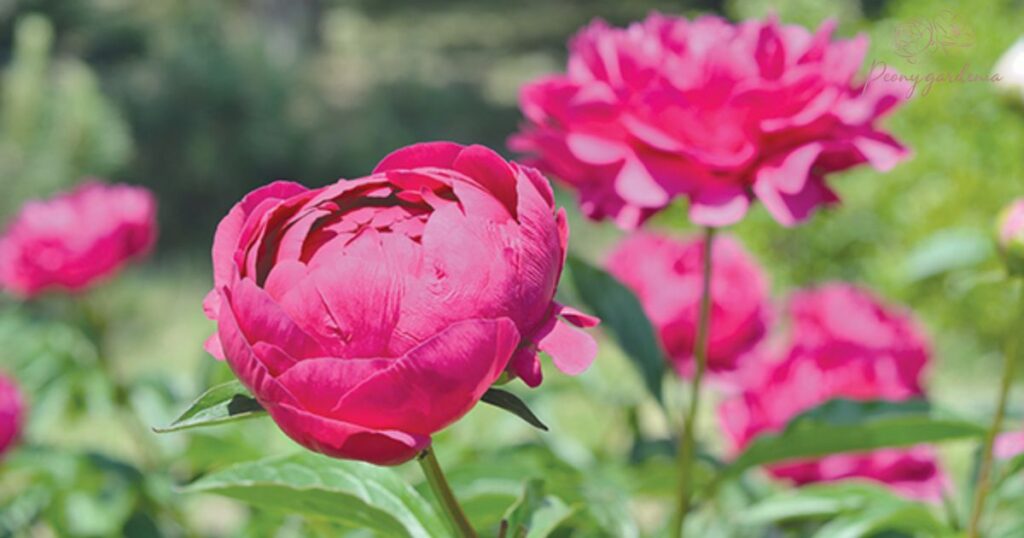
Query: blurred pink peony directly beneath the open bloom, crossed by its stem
[[666, 276]]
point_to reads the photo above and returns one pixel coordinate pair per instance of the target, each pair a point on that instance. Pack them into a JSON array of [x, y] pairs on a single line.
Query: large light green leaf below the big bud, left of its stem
[[352, 493]]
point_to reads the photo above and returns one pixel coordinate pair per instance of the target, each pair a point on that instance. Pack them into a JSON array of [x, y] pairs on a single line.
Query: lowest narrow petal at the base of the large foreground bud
[[342, 440]]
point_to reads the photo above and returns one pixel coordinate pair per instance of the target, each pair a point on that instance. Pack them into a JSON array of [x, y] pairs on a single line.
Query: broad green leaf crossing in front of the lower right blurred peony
[[845, 426]]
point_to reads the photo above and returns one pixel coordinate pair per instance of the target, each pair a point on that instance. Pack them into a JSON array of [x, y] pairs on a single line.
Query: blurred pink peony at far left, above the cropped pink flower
[[76, 239]]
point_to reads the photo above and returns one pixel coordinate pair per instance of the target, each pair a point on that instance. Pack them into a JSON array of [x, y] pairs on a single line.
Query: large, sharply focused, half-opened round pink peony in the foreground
[[370, 314]]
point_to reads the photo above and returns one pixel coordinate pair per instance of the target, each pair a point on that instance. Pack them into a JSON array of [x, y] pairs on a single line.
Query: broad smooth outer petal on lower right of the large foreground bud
[[438, 382]]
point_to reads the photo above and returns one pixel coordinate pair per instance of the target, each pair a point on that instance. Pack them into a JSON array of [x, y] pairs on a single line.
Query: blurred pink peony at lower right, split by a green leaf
[[844, 345]]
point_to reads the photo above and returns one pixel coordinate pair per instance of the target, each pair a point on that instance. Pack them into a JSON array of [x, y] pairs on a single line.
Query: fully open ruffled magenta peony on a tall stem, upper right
[[718, 113]]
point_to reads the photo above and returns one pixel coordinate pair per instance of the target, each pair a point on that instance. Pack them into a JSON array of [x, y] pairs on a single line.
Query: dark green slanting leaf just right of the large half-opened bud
[[623, 316]]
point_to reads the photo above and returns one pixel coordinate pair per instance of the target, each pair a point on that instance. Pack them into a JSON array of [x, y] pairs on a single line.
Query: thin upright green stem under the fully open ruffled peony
[[688, 443]]
